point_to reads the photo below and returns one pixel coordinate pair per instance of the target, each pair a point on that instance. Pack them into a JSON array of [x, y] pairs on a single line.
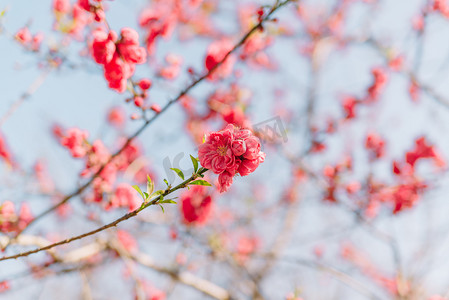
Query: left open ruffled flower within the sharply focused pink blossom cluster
[[216, 154]]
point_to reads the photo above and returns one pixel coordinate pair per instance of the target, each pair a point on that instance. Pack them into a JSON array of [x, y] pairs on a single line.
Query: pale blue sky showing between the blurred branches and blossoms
[[80, 98]]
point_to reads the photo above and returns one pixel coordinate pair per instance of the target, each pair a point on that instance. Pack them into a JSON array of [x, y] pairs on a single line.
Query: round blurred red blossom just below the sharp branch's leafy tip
[[196, 205]]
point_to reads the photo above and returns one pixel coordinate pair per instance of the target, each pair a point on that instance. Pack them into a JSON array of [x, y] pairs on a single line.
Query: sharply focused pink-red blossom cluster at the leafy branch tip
[[229, 152]]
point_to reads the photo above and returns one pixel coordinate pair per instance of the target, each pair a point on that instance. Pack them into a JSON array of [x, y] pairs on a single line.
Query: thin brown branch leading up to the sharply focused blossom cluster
[[112, 224]]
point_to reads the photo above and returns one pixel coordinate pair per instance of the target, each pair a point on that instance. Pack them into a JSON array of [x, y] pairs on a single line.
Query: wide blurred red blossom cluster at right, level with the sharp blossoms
[[403, 194]]
